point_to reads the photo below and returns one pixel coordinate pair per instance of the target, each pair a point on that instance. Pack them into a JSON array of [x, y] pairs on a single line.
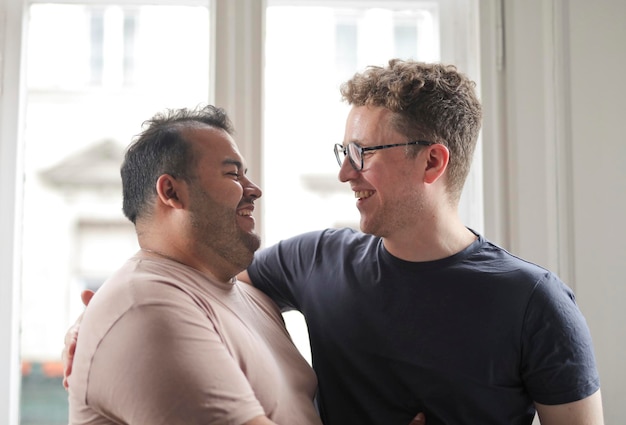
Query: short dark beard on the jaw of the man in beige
[[216, 229]]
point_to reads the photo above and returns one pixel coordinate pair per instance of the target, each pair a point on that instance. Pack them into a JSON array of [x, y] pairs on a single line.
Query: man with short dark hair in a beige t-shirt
[[172, 337]]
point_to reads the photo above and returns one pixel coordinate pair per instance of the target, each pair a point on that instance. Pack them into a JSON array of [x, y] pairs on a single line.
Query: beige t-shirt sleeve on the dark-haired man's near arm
[[165, 363]]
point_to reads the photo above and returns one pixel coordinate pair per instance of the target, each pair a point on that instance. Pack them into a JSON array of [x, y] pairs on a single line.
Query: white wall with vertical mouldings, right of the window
[[555, 164]]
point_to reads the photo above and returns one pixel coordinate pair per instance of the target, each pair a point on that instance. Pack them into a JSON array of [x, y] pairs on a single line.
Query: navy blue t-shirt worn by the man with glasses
[[473, 338]]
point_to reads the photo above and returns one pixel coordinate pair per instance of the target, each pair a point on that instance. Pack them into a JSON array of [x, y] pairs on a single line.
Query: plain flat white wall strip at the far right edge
[[598, 93]]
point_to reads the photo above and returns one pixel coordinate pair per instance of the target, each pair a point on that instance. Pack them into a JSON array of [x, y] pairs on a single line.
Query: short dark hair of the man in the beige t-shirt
[[161, 148]]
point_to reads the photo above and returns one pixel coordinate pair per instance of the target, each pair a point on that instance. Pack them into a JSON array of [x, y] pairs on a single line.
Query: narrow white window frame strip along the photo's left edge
[[11, 151]]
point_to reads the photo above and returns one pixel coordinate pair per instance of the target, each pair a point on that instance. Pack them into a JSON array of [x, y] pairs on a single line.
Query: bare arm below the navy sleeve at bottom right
[[587, 411]]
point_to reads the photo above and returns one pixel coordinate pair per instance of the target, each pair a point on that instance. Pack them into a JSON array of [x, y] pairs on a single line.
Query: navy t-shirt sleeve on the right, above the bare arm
[[559, 365]]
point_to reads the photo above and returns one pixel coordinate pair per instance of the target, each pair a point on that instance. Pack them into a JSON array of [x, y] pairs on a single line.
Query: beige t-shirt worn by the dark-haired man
[[161, 343]]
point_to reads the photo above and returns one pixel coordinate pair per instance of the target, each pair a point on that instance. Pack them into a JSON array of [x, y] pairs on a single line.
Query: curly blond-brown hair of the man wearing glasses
[[430, 101]]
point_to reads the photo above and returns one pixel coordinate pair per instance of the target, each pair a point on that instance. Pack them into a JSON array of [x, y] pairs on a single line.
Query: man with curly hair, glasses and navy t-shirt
[[417, 312]]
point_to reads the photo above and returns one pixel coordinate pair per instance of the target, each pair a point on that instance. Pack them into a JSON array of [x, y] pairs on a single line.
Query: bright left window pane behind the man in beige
[[94, 74]]
